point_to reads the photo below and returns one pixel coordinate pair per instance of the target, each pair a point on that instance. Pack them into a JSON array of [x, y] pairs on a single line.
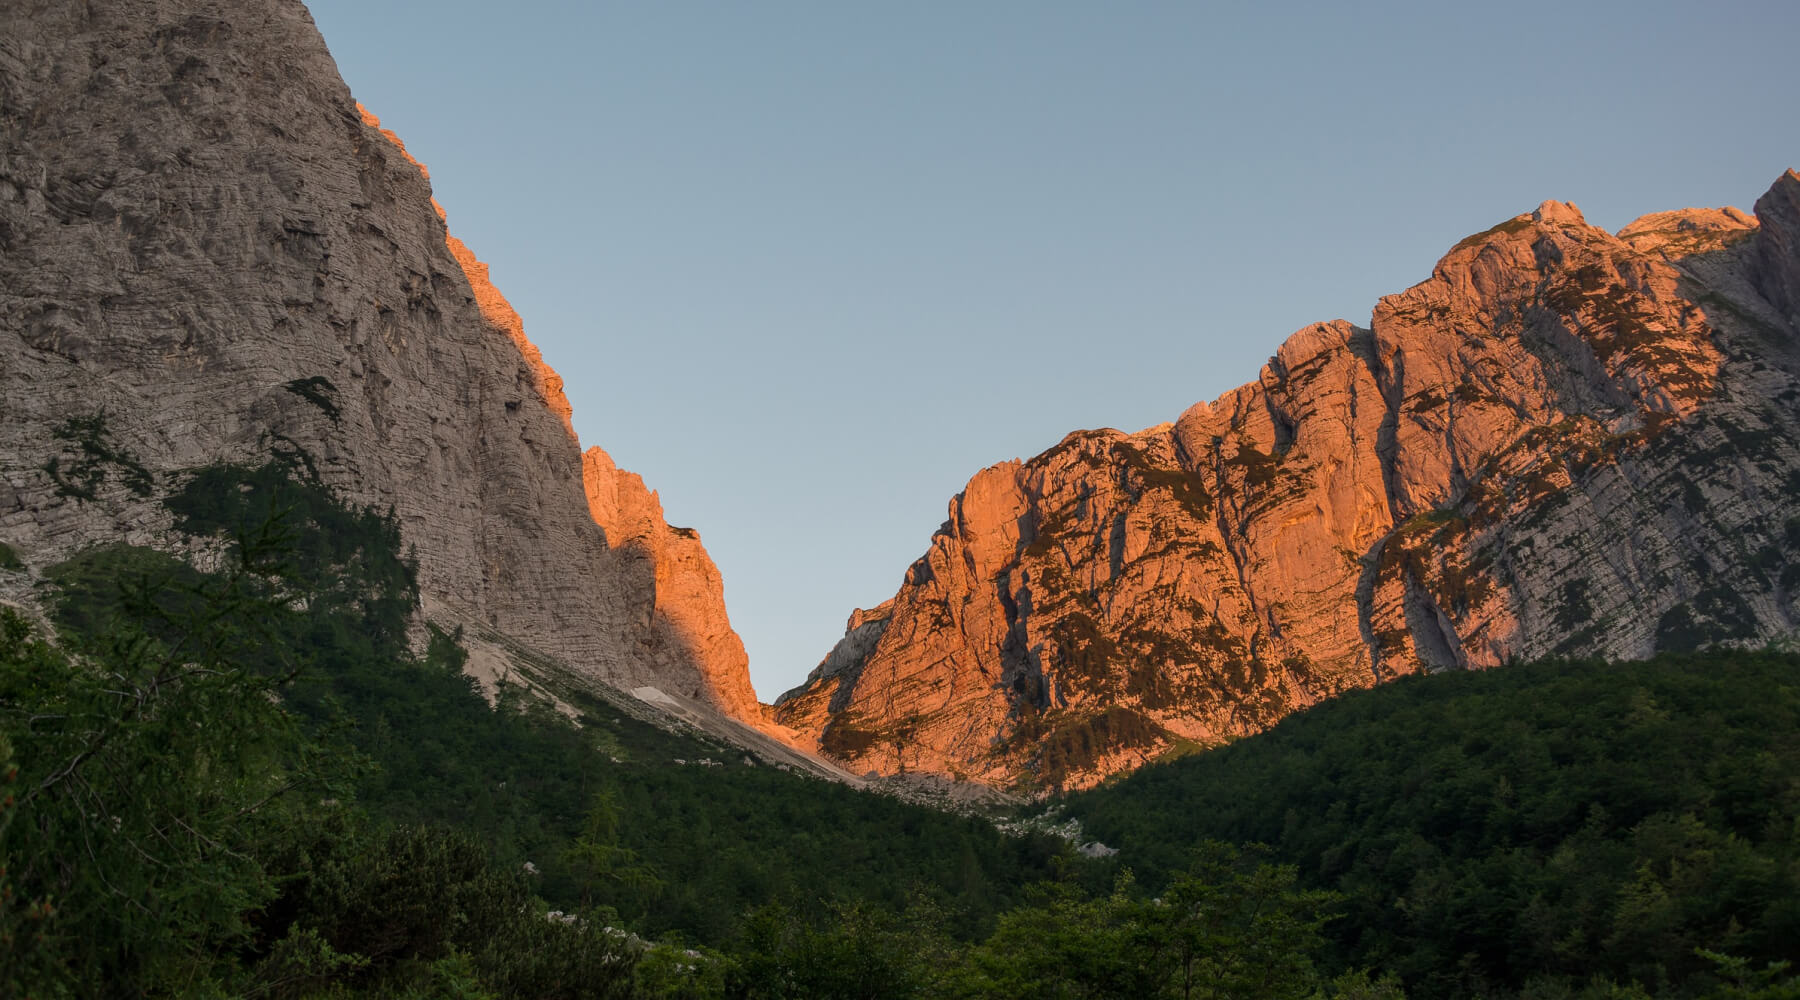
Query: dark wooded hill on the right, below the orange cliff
[[1534, 826]]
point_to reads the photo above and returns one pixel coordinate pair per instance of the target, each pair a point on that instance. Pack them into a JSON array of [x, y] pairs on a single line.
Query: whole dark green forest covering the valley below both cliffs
[[240, 767]]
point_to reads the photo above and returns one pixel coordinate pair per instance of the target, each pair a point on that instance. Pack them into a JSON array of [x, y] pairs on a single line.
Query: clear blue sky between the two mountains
[[809, 267]]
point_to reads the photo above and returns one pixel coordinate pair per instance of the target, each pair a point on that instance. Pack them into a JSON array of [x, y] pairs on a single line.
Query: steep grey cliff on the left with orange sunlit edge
[[208, 242]]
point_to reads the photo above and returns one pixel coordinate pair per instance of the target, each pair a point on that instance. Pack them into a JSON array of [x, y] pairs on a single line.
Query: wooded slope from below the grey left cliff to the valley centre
[[364, 819]]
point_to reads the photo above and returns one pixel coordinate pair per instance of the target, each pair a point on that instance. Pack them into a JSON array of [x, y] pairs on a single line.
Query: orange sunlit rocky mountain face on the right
[[1561, 443]]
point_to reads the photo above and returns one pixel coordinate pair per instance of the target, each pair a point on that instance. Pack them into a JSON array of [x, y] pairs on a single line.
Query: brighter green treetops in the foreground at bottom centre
[[1232, 925]]
